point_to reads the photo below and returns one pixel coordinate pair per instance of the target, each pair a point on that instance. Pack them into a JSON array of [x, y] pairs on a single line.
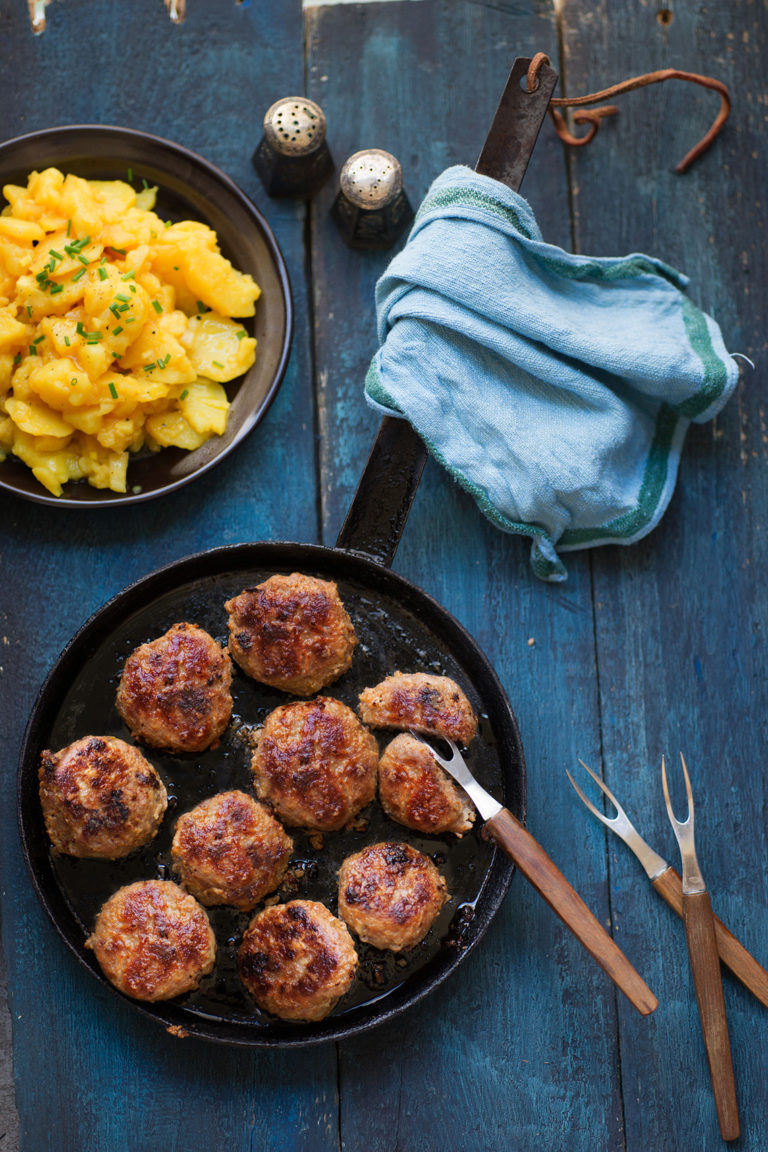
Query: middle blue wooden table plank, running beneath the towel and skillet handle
[[519, 1048]]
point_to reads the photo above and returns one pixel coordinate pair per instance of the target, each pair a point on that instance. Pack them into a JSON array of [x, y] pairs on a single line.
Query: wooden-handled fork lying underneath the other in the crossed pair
[[668, 884]]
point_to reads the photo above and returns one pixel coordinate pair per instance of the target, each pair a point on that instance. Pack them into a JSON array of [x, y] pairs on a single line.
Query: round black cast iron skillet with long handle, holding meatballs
[[399, 627]]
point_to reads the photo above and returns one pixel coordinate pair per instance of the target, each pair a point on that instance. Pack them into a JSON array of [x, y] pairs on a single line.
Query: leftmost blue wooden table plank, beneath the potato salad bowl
[[90, 1074]]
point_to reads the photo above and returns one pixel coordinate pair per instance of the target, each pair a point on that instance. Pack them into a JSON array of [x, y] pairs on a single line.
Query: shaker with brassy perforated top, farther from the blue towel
[[293, 157]]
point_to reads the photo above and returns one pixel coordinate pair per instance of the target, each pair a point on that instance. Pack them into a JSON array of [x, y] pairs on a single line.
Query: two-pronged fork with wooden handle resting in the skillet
[[549, 881]]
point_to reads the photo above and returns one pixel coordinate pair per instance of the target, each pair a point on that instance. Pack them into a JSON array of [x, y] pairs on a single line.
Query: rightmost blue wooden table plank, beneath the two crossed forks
[[681, 617]]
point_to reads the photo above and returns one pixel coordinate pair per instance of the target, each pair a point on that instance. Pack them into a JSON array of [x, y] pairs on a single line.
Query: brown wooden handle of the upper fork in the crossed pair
[[705, 966]]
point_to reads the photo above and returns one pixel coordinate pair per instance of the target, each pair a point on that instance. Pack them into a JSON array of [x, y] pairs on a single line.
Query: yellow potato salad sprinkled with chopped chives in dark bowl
[[118, 329]]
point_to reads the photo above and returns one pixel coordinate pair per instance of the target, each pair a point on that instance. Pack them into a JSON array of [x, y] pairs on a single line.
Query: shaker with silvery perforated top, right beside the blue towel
[[371, 208]]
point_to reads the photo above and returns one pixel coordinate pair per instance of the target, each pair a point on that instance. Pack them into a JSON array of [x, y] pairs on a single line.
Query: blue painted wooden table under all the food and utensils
[[649, 649]]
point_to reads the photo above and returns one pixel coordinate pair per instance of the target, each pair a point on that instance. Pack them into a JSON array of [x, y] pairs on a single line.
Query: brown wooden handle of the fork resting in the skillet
[[550, 883]]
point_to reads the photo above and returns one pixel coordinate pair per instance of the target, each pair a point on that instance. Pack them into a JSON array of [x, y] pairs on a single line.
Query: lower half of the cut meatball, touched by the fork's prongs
[[416, 792]]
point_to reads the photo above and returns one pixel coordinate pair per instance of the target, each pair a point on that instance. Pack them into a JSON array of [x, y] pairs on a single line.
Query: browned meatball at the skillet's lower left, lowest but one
[[154, 941]]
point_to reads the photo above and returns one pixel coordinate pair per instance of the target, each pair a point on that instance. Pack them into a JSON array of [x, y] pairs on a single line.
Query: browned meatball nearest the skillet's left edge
[[101, 798]]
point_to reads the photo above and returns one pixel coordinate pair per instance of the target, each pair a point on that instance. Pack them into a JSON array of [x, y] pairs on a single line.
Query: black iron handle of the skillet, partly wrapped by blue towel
[[377, 517]]
